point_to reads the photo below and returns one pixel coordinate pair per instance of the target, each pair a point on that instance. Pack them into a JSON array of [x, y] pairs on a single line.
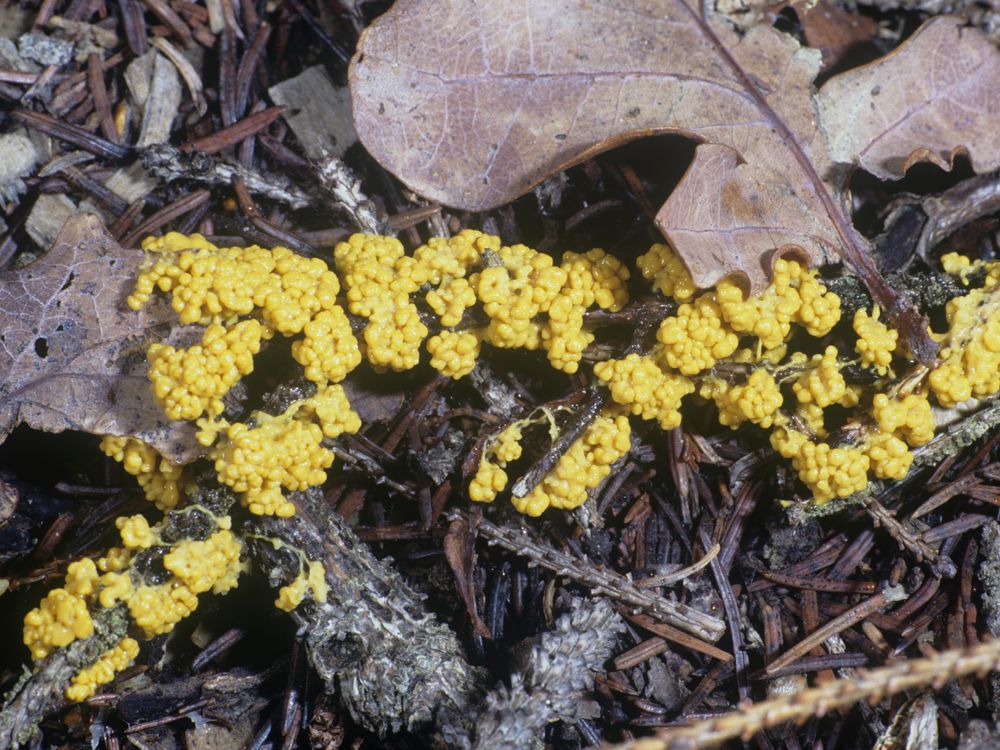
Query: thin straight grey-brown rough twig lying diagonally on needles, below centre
[[597, 580]]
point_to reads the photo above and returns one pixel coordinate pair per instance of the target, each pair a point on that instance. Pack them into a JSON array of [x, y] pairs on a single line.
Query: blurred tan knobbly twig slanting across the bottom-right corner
[[871, 685]]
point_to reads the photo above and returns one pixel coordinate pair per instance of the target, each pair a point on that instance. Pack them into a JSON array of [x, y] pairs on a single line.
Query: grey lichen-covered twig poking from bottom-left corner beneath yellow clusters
[[38, 693]]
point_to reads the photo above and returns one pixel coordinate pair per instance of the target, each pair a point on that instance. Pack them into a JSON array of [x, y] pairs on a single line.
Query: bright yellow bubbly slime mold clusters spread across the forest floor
[[777, 362]]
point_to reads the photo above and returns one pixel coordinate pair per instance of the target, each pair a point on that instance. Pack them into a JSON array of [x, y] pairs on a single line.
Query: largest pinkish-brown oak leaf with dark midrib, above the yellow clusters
[[526, 91]]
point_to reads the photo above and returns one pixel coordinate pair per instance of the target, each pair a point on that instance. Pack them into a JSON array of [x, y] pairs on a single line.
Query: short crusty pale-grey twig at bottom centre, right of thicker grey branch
[[552, 684]]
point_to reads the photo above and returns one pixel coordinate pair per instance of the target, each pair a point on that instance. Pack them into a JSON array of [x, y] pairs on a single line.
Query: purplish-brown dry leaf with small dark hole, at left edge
[[72, 354]]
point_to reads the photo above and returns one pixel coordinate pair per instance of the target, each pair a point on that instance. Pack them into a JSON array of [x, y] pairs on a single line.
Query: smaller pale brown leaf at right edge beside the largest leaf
[[933, 97]]
